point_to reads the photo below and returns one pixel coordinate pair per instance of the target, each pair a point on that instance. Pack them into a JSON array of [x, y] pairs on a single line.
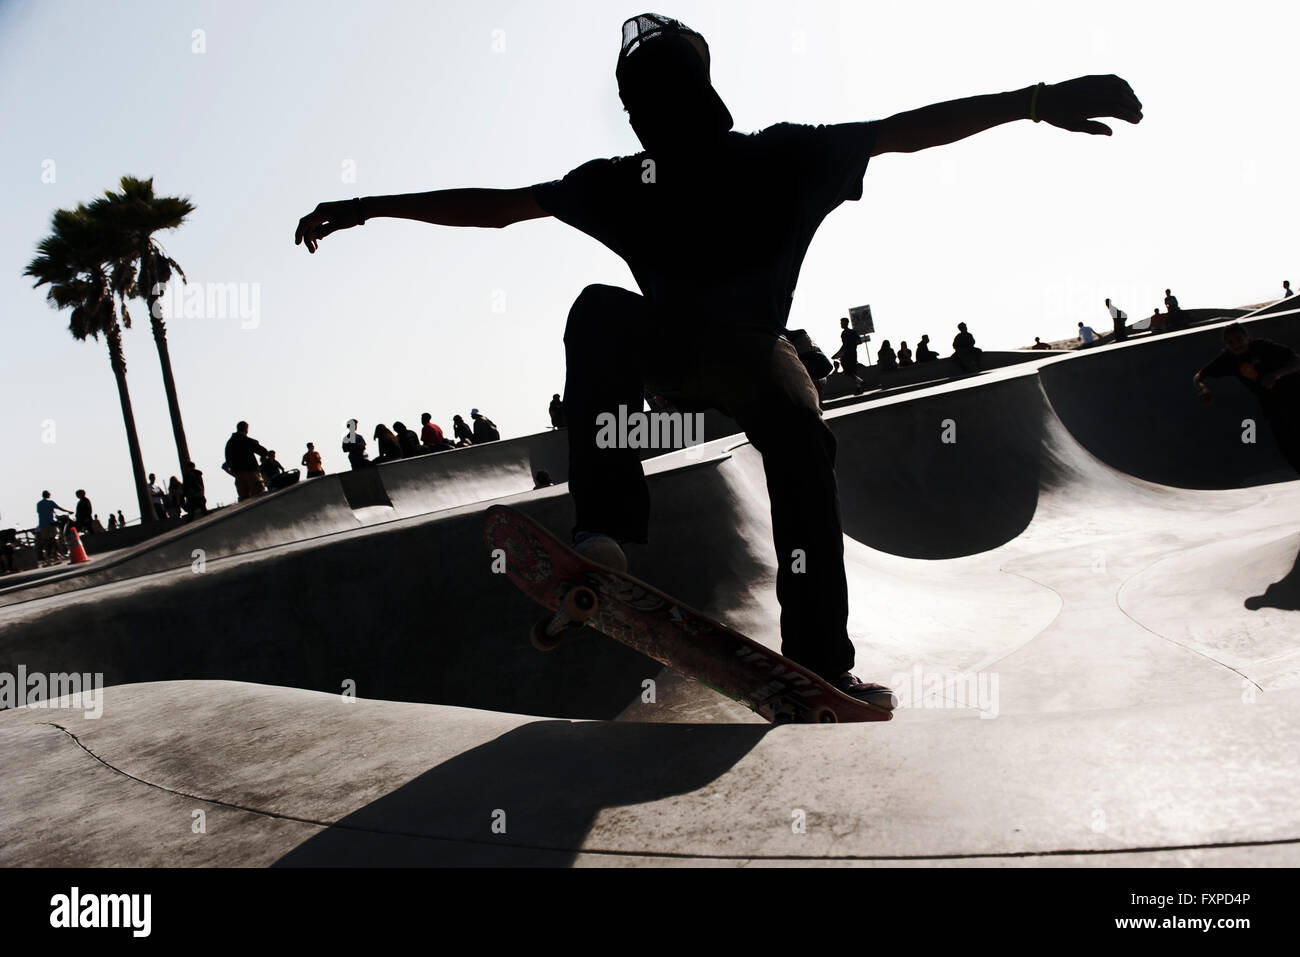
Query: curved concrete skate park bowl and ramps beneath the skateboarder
[[1095, 649]]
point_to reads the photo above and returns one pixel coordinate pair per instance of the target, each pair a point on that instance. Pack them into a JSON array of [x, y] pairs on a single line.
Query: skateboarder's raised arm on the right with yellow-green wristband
[[1071, 106]]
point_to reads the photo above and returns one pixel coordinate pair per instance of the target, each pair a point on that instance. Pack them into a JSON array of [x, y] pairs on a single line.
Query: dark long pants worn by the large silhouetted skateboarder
[[616, 348]]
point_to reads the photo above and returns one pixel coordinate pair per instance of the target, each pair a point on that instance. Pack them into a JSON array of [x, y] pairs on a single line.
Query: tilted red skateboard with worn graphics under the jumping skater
[[583, 594]]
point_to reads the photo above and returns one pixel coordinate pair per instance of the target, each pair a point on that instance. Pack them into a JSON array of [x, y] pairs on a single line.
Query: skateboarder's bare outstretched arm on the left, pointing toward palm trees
[[473, 207]]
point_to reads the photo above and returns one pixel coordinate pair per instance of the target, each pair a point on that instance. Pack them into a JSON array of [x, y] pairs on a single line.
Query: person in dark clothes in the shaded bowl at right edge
[[1269, 371]]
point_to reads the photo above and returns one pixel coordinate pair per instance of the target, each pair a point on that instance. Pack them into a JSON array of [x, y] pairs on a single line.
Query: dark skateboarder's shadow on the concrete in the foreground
[[547, 782]]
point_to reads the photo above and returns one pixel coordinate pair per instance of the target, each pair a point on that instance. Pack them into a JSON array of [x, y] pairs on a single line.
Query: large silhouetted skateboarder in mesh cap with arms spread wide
[[716, 243]]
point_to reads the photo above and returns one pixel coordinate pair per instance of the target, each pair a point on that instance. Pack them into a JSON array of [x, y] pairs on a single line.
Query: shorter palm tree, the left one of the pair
[[72, 263]]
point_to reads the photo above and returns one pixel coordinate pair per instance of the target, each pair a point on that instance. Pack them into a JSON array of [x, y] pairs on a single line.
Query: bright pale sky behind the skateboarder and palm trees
[[272, 109]]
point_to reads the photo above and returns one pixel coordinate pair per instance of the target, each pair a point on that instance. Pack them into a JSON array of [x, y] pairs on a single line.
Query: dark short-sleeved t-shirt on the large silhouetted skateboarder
[[718, 236]]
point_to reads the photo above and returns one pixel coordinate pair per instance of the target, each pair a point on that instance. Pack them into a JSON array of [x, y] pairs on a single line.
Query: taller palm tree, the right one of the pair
[[141, 269]]
